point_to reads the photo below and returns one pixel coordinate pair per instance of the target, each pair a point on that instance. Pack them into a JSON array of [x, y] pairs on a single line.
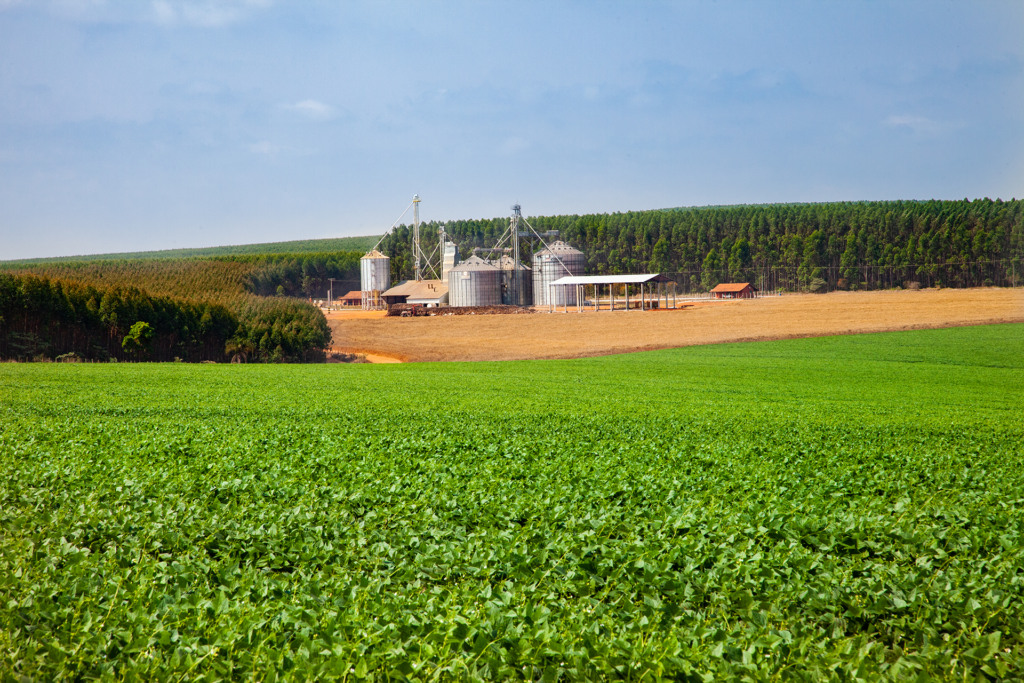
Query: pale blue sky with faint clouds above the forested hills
[[133, 125]]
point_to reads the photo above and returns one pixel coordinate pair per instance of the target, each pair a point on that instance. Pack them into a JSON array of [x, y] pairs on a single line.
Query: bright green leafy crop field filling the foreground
[[845, 508]]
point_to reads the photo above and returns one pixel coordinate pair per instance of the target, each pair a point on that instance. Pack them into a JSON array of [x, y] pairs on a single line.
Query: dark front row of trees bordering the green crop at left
[[41, 318]]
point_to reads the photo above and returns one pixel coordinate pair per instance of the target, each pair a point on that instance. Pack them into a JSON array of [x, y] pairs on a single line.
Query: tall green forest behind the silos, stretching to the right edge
[[795, 247]]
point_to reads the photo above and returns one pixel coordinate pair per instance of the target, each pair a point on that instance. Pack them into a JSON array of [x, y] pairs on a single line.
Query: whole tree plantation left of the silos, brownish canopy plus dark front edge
[[246, 308]]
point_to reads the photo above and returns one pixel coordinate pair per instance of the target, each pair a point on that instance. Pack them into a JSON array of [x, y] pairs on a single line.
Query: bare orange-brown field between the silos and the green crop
[[577, 335]]
